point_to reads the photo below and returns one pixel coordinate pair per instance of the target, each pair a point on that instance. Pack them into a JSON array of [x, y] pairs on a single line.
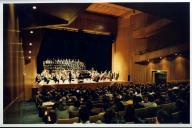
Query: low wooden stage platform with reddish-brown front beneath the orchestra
[[91, 85]]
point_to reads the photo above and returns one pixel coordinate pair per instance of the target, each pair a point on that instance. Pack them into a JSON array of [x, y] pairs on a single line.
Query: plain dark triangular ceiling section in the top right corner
[[177, 11]]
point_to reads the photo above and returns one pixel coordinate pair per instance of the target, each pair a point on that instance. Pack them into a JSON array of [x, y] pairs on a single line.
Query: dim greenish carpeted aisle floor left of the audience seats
[[22, 113]]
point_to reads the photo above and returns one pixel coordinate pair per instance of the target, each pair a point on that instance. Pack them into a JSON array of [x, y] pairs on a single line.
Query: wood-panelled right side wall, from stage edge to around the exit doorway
[[126, 47]]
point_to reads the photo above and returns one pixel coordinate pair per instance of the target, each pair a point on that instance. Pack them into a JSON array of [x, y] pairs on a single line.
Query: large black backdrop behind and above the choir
[[94, 50]]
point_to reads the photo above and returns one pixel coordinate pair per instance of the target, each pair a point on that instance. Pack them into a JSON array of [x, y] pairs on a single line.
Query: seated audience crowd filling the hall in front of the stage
[[118, 98]]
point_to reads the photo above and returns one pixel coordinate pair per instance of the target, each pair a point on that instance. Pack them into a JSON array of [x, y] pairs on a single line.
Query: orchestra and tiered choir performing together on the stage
[[70, 71]]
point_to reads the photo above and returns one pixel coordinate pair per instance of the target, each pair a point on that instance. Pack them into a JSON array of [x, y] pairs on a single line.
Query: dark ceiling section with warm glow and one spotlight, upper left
[[48, 14]]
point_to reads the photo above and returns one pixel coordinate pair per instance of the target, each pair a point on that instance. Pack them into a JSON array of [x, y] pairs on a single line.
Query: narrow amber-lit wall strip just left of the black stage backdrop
[[31, 67]]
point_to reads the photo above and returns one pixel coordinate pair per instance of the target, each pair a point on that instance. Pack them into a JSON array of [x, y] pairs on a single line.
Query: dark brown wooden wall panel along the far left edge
[[13, 59]]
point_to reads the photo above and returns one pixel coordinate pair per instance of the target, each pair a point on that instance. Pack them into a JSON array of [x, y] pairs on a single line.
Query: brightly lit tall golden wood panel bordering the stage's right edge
[[120, 57]]
